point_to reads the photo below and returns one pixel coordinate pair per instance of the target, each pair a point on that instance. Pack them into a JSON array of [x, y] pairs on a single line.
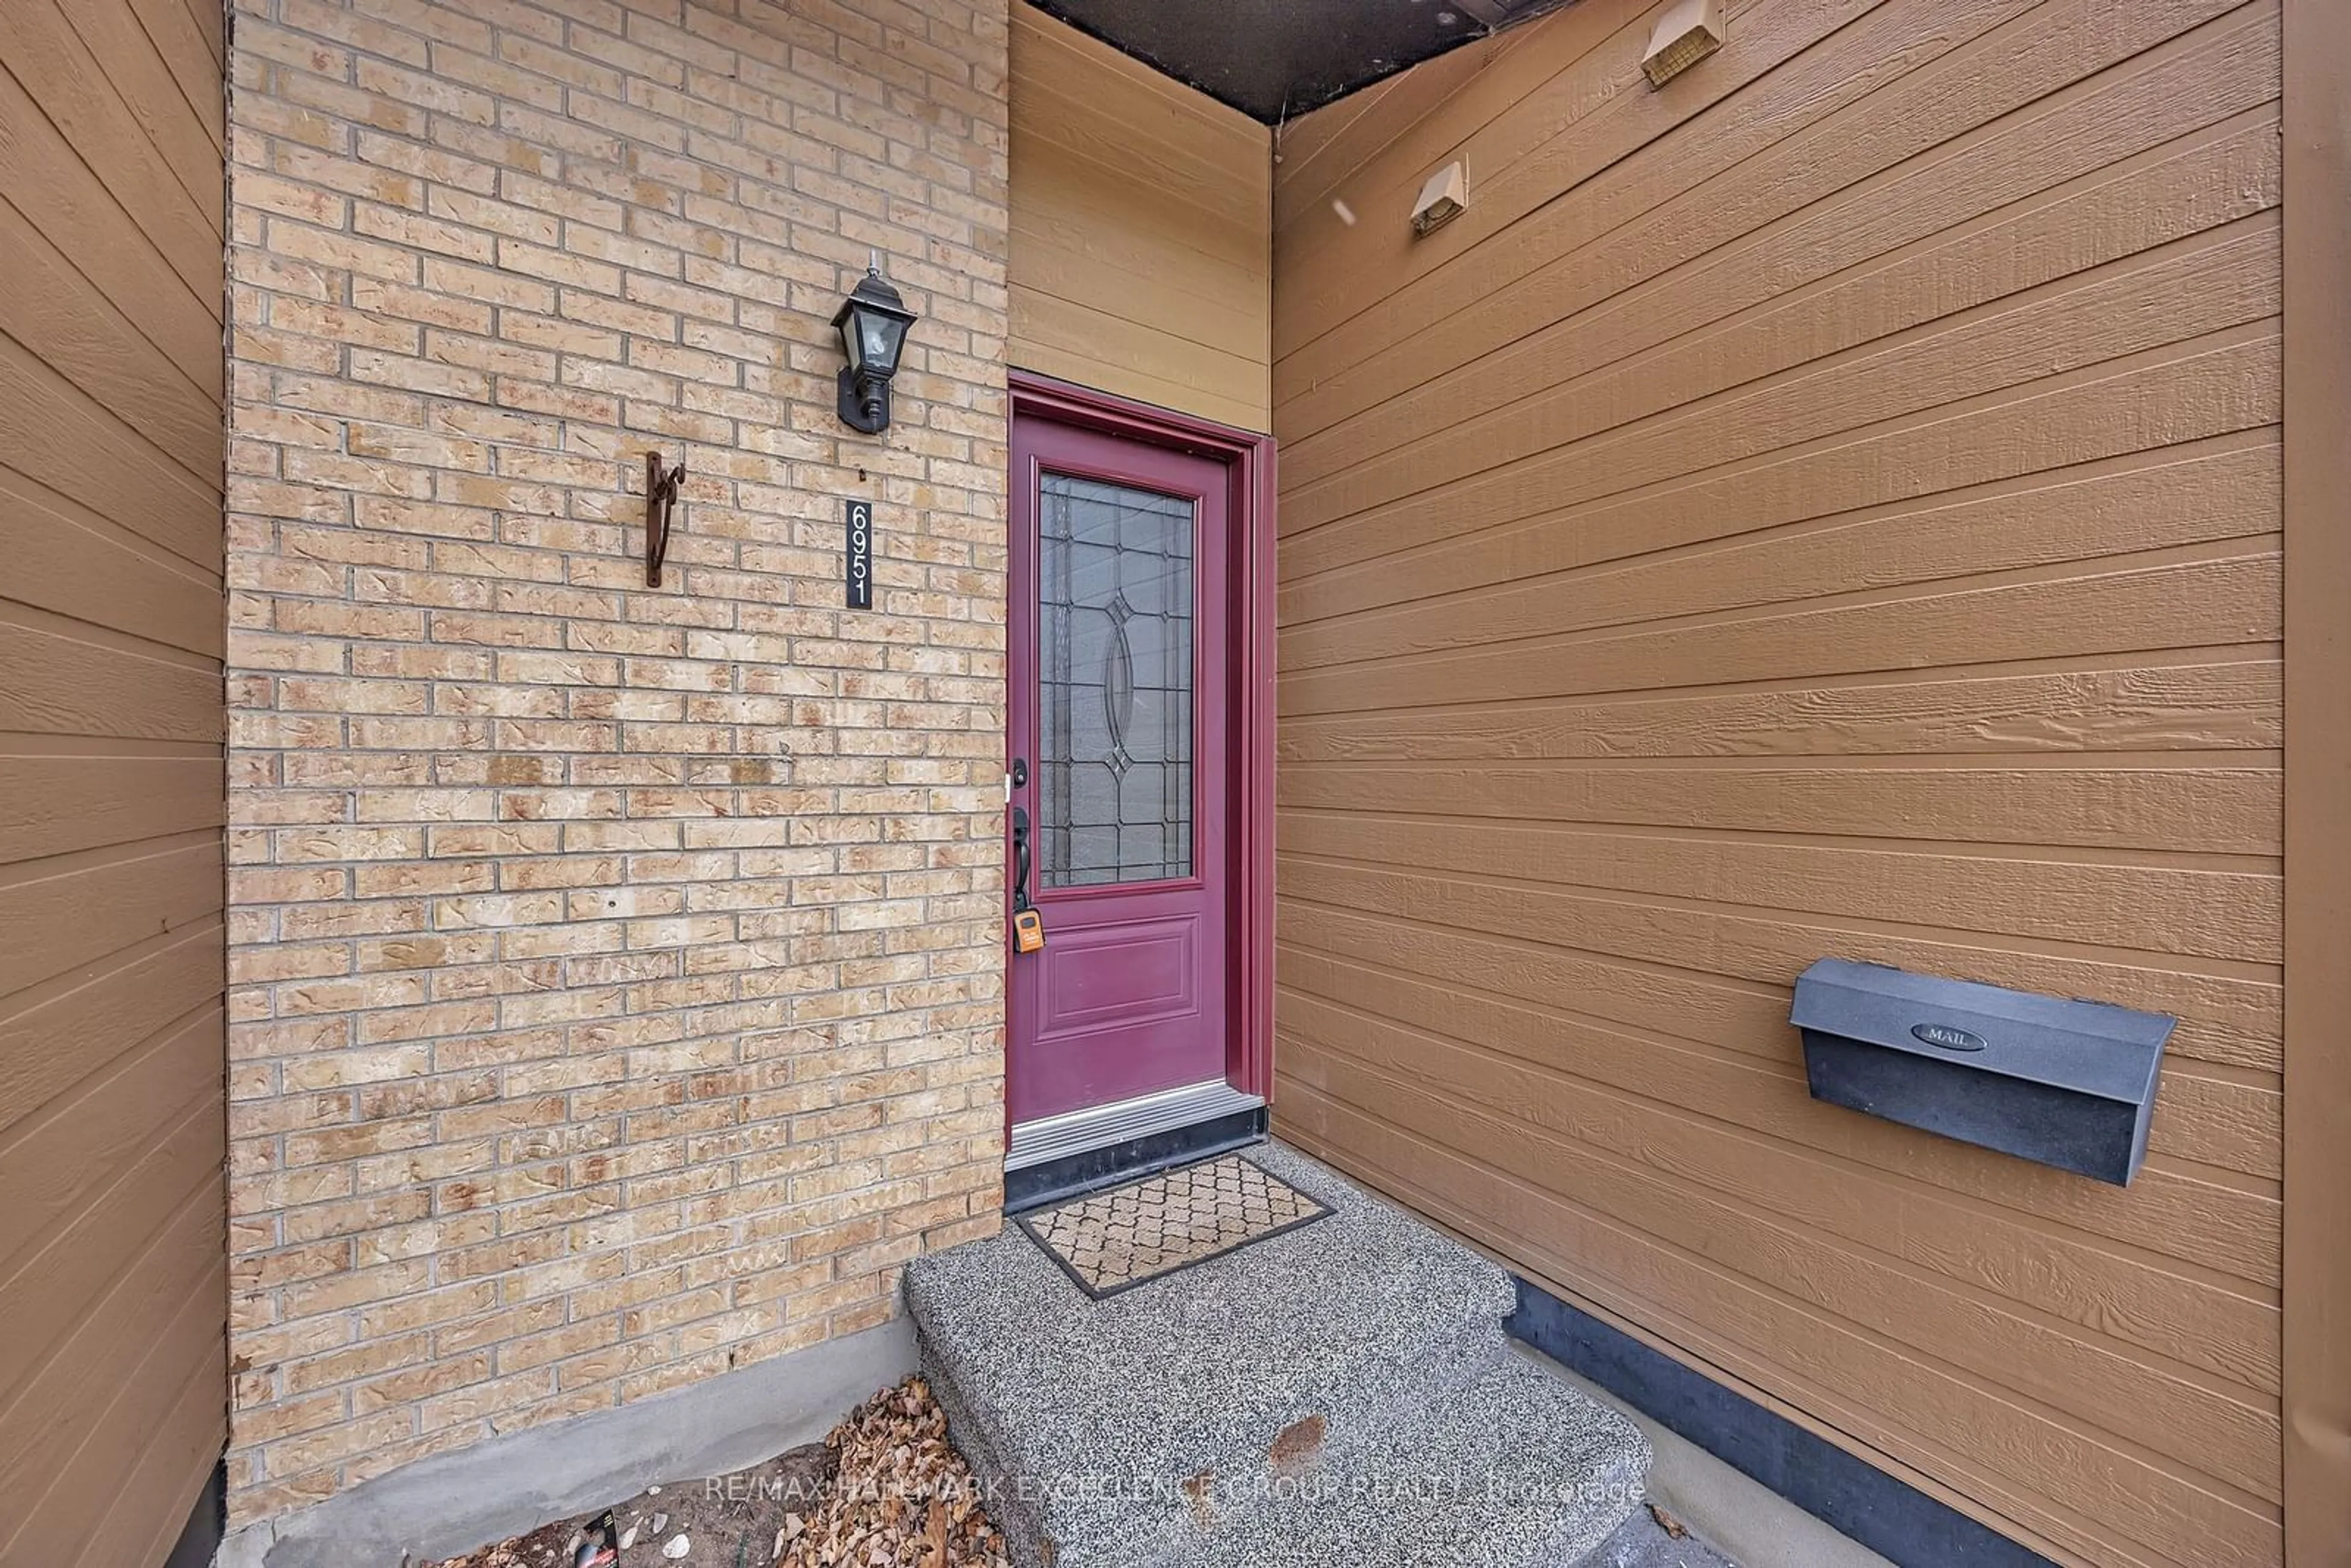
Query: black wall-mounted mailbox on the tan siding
[[2070, 1085]]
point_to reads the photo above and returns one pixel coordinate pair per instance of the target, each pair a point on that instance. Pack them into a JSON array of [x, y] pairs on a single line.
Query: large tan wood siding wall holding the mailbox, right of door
[[1828, 507]]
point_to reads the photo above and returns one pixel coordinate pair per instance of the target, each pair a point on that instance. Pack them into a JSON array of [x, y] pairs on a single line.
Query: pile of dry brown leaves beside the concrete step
[[902, 1496]]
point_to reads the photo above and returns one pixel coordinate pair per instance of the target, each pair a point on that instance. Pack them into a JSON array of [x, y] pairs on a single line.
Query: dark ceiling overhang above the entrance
[[1278, 60]]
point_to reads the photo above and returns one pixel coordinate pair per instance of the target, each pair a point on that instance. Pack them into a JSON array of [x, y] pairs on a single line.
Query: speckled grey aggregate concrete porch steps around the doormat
[[1339, 1395]]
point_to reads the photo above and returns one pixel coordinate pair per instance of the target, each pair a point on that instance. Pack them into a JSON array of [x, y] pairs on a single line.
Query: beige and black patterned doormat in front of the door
[[1153, 1228]]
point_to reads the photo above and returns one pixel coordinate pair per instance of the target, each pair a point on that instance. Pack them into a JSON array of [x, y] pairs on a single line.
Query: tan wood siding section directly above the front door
[[1139, 229]]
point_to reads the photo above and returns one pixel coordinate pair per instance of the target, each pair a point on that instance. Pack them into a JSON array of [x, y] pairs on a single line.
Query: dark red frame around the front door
[[1250, 1040]]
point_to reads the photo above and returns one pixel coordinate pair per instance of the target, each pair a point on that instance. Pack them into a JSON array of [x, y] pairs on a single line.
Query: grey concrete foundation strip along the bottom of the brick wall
[[518, 1482]]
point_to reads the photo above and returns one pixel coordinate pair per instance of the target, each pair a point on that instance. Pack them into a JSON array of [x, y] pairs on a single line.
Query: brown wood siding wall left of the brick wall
[[114, 1240]]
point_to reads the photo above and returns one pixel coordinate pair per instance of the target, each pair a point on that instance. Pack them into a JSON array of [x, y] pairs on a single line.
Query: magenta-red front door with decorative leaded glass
[[1120, 758]]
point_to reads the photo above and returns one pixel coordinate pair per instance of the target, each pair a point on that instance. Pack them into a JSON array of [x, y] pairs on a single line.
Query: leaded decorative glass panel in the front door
[[1116, 683]]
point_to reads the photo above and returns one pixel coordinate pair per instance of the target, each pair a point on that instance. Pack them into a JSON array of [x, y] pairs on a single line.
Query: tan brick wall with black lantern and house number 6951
[[617, 977]]
